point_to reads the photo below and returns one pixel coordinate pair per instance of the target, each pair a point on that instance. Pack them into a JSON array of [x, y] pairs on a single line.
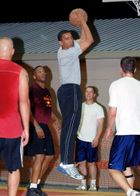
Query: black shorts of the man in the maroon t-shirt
[[39, 146]]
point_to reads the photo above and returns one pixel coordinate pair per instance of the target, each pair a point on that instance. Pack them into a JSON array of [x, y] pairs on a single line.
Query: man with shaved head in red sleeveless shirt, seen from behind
[[14, 113]]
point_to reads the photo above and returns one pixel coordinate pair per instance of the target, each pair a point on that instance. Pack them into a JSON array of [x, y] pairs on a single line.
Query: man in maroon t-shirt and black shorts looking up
[[41, 143]]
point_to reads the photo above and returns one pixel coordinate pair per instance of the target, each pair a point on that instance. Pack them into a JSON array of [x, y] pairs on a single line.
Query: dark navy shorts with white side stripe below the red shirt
[[11, 151]]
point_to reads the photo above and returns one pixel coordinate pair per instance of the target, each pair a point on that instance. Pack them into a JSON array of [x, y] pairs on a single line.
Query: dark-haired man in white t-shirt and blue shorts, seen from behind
[[124, 110]]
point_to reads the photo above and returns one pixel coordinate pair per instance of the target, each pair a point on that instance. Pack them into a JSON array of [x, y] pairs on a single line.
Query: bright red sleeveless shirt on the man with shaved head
[[10, 120]]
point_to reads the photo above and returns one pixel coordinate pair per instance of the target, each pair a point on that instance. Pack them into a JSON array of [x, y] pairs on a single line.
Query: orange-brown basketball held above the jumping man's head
[[73, 16]]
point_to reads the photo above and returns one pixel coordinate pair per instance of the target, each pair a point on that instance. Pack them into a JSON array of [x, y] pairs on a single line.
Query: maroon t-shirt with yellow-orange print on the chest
[[41, 103]]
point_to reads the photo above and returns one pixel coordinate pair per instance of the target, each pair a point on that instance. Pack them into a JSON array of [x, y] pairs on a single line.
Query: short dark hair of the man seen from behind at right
[[128, 64]]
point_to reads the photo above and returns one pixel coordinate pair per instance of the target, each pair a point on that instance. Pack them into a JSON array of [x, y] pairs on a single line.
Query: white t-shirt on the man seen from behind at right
[[125, 96]]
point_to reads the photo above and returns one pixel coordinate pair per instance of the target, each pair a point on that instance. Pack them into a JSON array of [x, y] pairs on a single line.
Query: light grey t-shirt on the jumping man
[[69, 65]]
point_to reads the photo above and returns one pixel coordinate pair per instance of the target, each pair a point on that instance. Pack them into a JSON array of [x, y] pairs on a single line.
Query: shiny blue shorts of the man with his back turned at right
[[124, 152]]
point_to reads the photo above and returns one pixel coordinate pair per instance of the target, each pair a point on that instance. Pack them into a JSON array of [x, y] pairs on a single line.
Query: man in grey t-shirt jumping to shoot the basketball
[[69, 93]]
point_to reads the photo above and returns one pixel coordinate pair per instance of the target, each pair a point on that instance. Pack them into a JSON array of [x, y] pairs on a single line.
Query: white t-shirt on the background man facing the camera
[[89, 121]]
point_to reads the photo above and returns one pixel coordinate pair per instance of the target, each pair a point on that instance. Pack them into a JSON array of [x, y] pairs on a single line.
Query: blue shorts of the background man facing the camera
[[85, 152]]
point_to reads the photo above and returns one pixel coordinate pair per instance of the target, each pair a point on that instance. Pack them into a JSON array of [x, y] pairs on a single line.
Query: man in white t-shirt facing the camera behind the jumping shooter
[[88, 136]]
